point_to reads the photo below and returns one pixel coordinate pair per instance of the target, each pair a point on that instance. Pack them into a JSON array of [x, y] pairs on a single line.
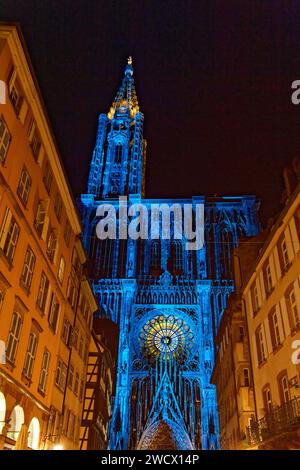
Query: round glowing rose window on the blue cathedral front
[[166, 335]]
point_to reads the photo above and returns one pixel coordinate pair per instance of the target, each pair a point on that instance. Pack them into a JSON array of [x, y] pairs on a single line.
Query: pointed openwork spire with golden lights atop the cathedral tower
[[126, 99]]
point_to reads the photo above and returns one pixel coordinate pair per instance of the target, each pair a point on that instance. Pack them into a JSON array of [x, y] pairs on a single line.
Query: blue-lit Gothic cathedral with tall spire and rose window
[[166, 300]]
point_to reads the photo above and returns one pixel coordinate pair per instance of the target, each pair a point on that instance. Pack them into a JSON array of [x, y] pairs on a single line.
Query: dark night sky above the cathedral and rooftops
[[213, 79]]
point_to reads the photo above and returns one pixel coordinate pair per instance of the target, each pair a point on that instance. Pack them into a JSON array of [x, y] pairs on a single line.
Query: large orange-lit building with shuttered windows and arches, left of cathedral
[[46, 303]]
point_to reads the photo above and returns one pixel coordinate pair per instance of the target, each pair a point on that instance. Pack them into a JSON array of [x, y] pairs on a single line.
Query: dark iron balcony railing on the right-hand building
[[277, 420]]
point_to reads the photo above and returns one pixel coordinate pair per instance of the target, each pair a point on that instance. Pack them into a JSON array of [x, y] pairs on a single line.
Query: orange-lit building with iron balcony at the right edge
[[271, 299]]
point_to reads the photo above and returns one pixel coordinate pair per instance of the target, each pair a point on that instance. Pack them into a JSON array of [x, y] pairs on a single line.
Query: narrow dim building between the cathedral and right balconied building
[[233, 378]]
